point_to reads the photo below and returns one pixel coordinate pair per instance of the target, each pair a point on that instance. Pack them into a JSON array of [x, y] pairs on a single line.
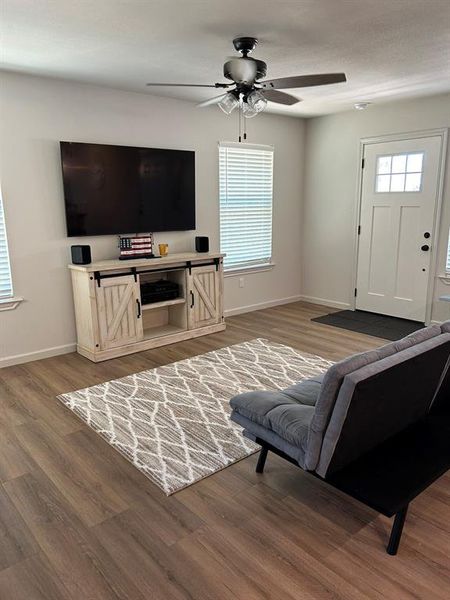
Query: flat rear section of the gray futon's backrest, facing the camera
[[381, 399]]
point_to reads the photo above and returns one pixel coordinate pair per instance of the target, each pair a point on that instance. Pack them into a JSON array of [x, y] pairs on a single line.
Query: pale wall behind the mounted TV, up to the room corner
[[36, 113]]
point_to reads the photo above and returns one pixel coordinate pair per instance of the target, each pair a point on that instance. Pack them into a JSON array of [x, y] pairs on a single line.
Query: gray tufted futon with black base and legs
[[352, 413]]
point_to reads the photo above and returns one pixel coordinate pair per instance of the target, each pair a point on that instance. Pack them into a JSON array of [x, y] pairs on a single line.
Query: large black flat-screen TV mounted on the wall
[[122, 189]]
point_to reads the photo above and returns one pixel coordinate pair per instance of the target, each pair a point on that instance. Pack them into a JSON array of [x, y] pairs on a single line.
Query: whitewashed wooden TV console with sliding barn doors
[[112, 321]]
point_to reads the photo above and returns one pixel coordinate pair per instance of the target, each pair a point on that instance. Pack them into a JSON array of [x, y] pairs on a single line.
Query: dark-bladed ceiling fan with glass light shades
[[247, 91]]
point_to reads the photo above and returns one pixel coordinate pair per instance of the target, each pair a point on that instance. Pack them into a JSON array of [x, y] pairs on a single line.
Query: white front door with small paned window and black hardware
[[398, 205]]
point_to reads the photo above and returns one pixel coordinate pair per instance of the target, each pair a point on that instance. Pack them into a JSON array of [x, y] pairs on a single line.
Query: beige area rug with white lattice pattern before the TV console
[[172, 422]]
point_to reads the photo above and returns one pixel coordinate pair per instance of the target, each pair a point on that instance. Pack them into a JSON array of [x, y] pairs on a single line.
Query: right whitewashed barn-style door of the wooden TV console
[[205, 297]]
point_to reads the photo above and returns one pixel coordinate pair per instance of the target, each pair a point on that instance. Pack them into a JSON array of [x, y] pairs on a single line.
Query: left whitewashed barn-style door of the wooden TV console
[[119, 312]]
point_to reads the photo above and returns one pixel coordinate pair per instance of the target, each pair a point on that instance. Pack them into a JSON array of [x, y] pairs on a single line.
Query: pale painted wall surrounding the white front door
[[331, 168]]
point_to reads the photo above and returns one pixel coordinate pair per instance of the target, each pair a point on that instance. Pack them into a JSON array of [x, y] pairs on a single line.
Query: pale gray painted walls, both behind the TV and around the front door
[[313, 215]]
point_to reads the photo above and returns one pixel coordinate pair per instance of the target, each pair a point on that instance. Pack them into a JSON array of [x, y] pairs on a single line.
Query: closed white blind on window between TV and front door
[[245, 195]]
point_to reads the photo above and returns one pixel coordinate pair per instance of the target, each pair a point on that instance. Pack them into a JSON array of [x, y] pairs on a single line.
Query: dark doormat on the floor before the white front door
[[382, 326]]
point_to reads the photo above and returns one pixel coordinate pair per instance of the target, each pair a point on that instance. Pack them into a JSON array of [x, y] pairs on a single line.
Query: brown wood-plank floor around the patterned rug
[[77, 521]]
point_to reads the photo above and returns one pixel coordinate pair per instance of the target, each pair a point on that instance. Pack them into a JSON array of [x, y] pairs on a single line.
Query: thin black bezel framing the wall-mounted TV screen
[[78, 235]]
